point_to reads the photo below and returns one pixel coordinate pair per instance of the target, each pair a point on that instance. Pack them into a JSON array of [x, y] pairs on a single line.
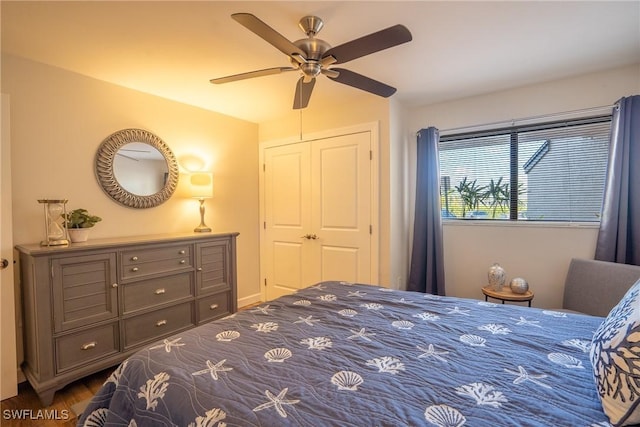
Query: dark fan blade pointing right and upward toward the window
[[372, 43]]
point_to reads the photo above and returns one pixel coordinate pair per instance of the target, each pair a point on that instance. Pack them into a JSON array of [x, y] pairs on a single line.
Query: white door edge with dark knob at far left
[[8, 358]]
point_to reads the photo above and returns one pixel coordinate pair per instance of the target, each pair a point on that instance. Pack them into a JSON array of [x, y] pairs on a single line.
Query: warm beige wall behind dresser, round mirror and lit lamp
[[60, 118]]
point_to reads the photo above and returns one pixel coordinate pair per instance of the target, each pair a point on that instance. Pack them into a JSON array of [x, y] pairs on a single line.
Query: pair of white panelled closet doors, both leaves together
[[317, 212]]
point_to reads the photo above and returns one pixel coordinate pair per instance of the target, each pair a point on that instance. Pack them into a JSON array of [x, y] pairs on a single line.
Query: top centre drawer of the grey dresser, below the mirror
[[150, 261]]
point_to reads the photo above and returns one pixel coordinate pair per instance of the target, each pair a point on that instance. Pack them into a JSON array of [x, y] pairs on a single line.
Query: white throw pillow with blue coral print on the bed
[[615, 356]]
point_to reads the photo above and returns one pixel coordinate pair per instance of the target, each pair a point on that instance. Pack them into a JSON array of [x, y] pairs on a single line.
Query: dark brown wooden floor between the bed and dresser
[[25, 408]]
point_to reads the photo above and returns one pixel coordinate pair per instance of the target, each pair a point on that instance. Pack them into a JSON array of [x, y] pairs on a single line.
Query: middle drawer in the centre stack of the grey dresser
[[153, 292]]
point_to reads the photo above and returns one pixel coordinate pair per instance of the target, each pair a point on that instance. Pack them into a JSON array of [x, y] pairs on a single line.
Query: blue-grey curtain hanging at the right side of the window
[[619, 235]]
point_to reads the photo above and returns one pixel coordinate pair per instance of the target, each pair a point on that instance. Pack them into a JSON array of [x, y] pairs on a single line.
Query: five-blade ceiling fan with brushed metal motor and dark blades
[[313, 56]]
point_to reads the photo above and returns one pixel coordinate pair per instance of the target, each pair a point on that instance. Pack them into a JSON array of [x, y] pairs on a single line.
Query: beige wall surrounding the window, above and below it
[[539, 254]]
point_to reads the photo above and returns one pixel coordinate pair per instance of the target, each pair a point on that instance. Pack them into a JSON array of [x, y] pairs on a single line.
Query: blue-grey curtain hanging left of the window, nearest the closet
[[427, 257]]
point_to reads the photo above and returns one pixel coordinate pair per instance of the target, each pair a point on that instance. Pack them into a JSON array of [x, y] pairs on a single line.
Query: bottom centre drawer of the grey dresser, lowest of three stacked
[[156, 324]]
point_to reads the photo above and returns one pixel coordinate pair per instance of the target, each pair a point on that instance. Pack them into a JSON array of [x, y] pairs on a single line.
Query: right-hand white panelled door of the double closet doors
[[341, 207]]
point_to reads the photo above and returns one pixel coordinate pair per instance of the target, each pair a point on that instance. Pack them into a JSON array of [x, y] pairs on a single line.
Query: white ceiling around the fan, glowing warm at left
[[459, 49]]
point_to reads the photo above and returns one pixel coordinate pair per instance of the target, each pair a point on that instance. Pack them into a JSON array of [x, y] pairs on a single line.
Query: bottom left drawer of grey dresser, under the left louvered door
[[87, 346]]
